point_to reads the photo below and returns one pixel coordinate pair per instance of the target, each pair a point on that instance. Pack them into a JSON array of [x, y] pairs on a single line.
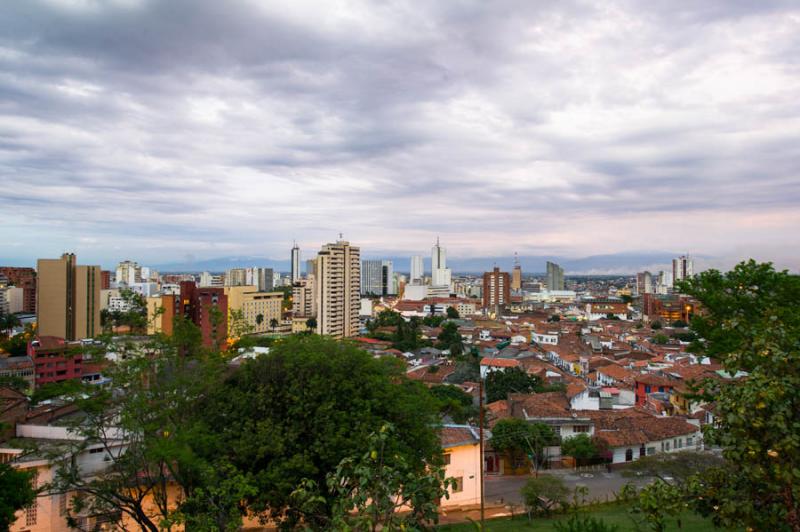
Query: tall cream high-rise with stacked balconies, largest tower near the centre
[[337, 289]]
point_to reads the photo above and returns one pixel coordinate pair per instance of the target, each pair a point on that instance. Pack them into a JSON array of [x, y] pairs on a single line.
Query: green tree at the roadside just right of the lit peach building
[[523, 441]]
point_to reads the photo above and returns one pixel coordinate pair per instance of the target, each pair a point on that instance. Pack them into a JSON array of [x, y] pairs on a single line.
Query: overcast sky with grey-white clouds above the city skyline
[[157, 130]]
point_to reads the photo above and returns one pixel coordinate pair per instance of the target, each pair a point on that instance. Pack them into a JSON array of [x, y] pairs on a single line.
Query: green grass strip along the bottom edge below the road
[[612, 514]]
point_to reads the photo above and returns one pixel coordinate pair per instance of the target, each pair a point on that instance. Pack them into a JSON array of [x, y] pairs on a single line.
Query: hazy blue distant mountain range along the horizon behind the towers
[[618, 263]]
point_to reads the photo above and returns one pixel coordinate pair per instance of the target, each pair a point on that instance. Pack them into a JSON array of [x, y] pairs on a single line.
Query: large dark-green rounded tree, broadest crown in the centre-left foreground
[[297, 412]]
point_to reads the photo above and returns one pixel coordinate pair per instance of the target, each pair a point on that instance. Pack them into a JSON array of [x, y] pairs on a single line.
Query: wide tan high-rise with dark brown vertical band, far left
[[68, 299]]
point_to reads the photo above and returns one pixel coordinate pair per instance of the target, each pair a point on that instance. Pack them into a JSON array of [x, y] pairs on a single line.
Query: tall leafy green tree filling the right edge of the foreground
[[750, 322]]
